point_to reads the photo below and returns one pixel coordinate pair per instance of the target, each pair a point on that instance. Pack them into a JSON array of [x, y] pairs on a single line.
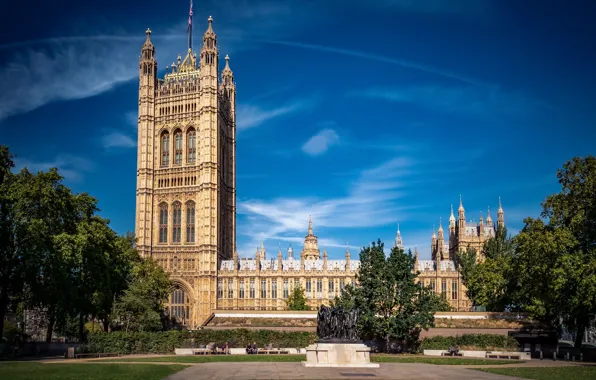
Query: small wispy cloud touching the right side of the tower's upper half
[[250, 116]]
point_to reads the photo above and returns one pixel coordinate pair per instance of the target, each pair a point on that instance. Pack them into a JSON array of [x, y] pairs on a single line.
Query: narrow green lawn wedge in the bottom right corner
[[547, 373]]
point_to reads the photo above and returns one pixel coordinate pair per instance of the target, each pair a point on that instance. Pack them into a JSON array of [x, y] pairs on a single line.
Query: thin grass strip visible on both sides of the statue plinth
[[299, 358]]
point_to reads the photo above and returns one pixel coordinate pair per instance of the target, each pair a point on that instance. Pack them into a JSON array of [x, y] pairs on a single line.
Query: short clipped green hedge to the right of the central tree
[[489, 342]]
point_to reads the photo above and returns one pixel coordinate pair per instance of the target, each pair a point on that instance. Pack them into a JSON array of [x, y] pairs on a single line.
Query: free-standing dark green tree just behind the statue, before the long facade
[[392, 304]]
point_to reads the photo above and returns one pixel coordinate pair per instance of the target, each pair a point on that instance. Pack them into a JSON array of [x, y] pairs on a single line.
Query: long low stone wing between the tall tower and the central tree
[[263, 283]]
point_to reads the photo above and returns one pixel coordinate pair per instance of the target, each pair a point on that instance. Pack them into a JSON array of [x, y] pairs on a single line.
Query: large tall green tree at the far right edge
[[556, 255]]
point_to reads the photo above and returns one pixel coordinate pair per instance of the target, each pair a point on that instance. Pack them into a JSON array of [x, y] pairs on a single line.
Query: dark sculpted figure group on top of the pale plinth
[[337, 325]]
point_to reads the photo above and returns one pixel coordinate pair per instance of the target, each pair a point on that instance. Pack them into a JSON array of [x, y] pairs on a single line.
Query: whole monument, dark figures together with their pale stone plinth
[[338, 344]]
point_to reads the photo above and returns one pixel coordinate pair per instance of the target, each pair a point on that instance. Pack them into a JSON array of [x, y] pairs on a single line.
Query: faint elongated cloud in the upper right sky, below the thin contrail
[[464, 100]]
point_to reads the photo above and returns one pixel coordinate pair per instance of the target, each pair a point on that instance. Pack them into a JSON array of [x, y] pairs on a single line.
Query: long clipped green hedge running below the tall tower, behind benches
[[164, 342]]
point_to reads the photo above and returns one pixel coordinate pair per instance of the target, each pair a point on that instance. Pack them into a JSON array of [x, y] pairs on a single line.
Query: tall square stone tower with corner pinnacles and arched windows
[[186, 176]]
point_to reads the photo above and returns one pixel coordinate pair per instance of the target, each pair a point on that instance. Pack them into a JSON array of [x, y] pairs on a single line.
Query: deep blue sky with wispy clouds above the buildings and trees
[[364, 114]]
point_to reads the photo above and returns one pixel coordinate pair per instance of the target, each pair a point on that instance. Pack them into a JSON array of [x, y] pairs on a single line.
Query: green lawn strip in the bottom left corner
[[79, 371]]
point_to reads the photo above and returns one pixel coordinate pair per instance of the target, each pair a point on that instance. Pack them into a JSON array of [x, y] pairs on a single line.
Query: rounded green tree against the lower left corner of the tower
[[140, 308]]
